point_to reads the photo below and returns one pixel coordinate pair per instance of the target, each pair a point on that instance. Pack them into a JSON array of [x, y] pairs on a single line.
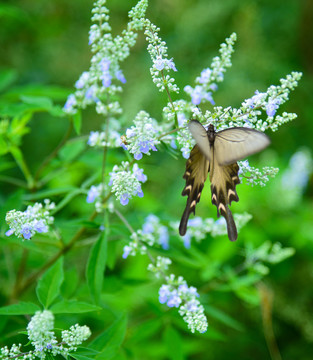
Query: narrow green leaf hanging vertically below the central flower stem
[[96, 266]]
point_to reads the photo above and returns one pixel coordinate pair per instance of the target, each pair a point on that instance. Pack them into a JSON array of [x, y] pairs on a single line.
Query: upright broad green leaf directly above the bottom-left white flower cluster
[[49, 285]]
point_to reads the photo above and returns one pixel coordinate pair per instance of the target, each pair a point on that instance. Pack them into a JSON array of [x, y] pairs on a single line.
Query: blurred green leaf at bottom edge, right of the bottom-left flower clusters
[[109, 342]]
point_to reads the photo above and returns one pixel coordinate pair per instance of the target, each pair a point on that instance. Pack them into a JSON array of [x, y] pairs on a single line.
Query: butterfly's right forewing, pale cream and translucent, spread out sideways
[[235, 144]]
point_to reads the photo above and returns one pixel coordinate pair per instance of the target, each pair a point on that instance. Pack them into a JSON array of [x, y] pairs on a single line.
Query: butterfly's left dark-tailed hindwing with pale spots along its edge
[[197, 168]]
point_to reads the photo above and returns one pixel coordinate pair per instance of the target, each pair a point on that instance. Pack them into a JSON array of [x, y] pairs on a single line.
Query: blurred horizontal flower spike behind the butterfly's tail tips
[[199, 228]]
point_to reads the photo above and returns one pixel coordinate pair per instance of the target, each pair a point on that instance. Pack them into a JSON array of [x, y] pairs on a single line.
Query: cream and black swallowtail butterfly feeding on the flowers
[[217, 153]]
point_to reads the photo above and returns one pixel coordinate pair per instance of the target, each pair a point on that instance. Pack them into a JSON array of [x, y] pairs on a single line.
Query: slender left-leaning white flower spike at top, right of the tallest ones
[[158, 52]]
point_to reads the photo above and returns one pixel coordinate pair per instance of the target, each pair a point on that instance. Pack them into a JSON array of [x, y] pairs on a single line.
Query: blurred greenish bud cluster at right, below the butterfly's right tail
[[266, 253]]
